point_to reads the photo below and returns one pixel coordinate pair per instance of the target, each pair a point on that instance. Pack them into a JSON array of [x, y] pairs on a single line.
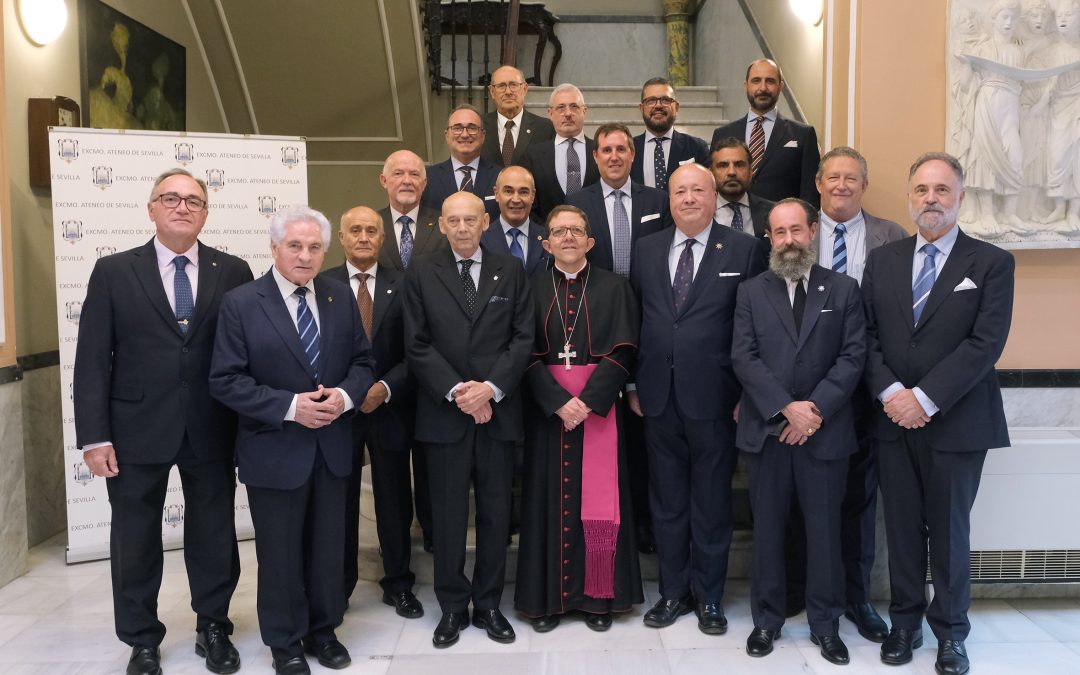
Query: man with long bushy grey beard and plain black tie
[[799, 348]]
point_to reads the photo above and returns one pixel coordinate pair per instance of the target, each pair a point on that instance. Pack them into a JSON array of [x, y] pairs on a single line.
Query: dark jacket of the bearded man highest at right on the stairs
[[786, 171]]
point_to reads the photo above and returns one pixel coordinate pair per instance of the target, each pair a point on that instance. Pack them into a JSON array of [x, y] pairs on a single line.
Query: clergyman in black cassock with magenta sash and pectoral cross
[[578, 550]]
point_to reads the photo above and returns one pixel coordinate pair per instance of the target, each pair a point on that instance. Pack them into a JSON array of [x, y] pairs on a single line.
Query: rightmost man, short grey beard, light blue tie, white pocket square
[[939, 307]]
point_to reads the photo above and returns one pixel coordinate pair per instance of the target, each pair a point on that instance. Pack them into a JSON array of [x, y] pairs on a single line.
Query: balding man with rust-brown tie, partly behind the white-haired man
[[385, 422]]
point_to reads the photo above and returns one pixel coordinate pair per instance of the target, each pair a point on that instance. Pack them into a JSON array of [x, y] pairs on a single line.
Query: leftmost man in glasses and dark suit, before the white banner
[[142, 406]]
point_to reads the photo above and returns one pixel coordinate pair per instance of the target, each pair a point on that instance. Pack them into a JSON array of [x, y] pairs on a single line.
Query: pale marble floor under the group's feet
[[58, 620]]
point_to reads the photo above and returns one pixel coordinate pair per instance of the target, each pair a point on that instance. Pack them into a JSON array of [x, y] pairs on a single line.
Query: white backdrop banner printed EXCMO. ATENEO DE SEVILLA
[[102, 182]]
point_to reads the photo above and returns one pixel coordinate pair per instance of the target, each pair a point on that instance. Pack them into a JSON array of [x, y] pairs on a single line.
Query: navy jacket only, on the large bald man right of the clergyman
[[694, 346]]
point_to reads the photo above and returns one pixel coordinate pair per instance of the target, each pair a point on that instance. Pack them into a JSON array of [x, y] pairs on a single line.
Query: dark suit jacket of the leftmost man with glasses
[[140, 383]]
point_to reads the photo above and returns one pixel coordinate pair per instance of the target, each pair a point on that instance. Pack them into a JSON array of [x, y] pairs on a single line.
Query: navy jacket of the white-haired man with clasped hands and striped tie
[[260, 364]]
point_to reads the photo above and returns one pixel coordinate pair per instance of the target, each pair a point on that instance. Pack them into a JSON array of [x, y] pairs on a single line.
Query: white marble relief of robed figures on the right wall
[[1015, 119]]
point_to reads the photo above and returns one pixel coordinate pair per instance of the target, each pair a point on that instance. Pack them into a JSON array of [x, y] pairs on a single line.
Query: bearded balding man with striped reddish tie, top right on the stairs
[[784, 153]]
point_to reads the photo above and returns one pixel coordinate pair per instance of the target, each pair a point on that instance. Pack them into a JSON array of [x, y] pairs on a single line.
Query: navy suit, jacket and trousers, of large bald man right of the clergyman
[[688, 391]]
